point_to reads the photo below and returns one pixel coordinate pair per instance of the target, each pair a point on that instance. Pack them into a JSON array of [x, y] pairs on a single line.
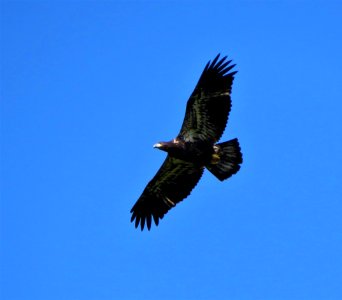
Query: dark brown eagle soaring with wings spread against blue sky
[[195, 148]]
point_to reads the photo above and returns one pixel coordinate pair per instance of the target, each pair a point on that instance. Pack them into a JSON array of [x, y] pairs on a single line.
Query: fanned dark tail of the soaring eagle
[[226, 160]]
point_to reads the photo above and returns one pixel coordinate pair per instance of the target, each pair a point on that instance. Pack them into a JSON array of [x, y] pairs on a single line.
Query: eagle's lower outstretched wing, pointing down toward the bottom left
[[172, 183]]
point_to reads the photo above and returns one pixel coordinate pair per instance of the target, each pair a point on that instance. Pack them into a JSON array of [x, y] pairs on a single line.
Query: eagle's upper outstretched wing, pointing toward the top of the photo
[[209, 105]]
